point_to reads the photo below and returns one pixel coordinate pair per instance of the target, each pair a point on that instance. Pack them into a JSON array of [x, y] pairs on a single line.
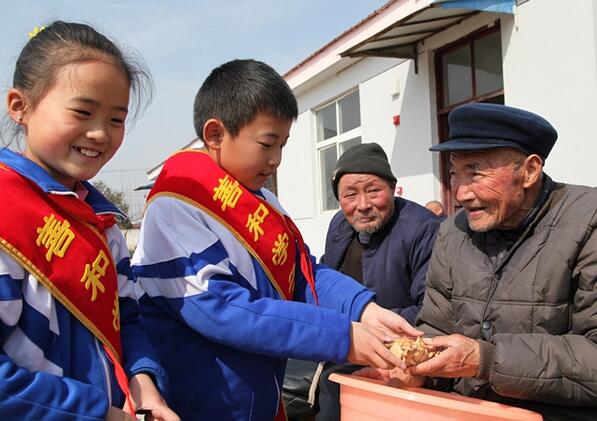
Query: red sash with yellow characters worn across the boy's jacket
[[271, 237]]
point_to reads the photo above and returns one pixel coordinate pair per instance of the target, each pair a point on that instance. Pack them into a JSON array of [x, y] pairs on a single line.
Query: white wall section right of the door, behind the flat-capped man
[[550, 67]]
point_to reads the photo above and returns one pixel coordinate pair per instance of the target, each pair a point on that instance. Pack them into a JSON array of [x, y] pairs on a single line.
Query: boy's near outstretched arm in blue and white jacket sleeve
[[194, 270]]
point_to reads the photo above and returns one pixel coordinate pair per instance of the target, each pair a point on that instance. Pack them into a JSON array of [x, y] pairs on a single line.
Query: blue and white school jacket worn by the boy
[[221, 329]]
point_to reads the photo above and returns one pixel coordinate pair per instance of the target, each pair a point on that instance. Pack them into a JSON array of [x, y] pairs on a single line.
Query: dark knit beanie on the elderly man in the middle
[[366, 158]]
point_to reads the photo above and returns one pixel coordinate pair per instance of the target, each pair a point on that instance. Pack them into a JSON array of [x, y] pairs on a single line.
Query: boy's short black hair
[[237, 91]]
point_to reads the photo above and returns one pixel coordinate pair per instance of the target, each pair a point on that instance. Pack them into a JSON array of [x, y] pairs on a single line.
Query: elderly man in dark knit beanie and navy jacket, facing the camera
[[382, 241]]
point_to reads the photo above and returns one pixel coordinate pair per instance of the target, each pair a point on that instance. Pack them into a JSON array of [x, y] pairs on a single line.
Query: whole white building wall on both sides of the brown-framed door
[[550, 67]]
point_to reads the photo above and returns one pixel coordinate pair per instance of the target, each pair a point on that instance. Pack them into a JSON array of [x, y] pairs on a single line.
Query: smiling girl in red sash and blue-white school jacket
[[69, 336]]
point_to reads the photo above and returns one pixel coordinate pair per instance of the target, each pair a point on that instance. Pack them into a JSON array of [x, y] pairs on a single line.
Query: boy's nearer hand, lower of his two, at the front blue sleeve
[[367, 347]]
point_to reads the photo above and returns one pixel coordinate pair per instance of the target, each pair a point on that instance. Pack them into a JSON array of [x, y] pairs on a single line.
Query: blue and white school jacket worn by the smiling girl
[[51, 365]]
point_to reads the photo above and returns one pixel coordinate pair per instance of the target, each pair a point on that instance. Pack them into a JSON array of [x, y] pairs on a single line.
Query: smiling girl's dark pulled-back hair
[[64, 43]]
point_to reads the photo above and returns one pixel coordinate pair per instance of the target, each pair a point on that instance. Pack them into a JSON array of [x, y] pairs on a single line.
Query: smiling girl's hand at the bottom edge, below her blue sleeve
[[147, 398]]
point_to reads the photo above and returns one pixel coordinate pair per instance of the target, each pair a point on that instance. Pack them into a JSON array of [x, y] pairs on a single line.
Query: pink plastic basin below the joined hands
[[363, 399]]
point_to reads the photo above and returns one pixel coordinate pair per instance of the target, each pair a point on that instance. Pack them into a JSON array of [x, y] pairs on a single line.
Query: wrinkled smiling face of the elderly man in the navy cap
[[490, 186]]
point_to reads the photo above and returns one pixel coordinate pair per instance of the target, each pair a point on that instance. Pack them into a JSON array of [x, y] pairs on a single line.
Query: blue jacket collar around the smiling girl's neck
[[40, 177]]
